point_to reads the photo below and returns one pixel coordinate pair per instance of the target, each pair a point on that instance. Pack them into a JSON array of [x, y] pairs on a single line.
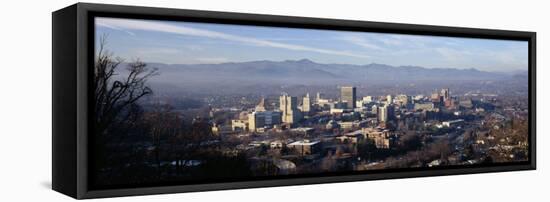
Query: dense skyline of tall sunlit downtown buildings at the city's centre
[[290, 113]]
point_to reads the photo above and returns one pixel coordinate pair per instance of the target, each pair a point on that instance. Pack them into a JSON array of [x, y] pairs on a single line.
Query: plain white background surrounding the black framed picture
[[25, 102]]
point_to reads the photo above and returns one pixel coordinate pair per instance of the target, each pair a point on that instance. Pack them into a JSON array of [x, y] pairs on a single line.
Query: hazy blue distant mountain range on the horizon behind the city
[[306, 71]]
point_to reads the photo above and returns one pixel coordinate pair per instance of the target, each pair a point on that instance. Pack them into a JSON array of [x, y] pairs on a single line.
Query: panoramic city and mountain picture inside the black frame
[[191, 102]]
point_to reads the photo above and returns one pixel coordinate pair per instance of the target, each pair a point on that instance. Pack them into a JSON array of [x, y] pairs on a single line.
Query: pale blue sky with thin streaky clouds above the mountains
[[174, 42]]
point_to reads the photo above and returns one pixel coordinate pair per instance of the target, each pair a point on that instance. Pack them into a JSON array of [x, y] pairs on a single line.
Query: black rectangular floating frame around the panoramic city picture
[[72, 62]]
